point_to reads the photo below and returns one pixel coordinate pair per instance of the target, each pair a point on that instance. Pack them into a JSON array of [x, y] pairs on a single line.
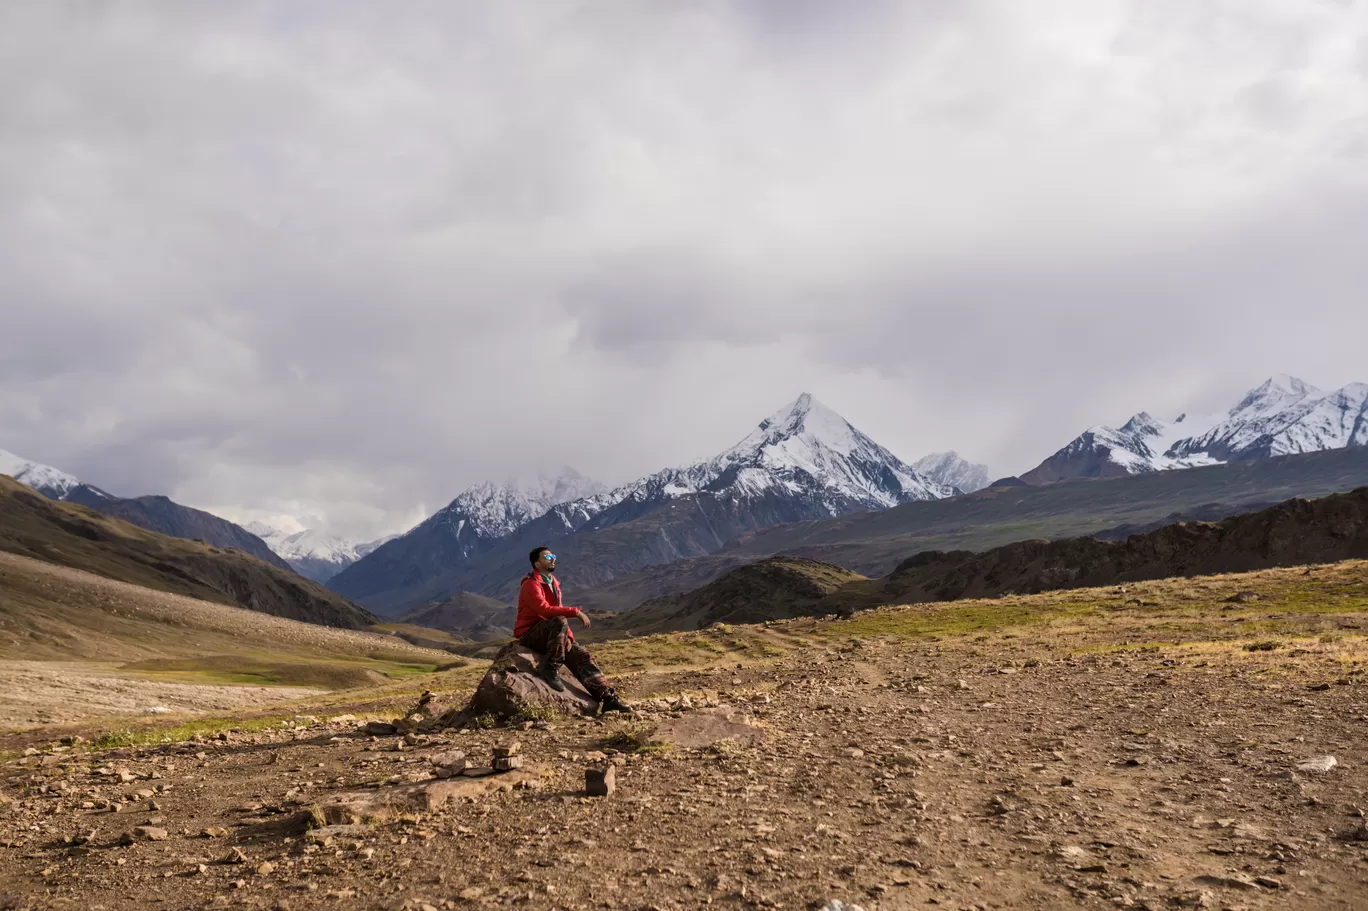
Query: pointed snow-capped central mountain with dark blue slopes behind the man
[[802, 463]]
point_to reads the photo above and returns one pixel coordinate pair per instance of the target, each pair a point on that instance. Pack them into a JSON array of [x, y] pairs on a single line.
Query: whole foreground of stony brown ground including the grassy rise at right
[[1073, 750]]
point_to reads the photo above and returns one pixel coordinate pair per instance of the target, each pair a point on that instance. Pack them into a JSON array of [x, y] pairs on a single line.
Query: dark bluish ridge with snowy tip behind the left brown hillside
[[154, 514]]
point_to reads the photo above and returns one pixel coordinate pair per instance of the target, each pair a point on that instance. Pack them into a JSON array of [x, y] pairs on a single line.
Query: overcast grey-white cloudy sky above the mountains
[[341, 261]]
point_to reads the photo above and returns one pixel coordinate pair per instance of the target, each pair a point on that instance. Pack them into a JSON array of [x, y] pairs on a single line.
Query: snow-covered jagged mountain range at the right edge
[[1284, 417]]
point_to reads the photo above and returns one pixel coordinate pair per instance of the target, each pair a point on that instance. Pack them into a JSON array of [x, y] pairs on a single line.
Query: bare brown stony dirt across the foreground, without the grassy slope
[[1120, 782]]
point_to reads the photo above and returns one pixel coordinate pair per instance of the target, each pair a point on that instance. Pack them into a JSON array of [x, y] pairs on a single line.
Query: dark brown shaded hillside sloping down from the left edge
[[81, 538]]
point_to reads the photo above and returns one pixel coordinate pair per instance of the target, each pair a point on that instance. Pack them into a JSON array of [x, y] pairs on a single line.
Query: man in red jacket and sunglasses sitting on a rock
[[544, 626]]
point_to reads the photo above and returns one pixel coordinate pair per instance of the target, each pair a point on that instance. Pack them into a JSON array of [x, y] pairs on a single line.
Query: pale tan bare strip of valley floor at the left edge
[[46, 693]]
